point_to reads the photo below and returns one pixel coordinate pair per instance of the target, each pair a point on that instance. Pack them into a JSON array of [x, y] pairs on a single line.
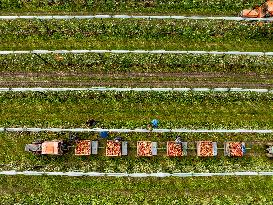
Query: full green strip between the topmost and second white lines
[[135, 34]]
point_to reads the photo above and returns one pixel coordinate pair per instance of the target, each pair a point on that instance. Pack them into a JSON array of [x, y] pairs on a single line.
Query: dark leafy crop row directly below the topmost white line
[[201, 30]]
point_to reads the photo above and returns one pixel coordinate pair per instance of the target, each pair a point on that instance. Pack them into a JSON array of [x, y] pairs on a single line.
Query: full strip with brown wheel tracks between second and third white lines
[[136, 70]]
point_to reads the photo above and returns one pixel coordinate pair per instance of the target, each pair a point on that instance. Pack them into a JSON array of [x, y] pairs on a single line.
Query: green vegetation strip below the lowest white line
[[103, 190]]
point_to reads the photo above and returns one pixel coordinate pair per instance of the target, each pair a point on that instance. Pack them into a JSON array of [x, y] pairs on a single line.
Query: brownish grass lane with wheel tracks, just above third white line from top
[[120, 79]]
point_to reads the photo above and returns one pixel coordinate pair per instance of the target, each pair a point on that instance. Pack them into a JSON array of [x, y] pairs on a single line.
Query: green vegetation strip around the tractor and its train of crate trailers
[[14, 157]]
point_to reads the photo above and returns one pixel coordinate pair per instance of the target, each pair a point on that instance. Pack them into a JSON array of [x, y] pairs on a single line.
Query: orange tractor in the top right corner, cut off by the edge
[[263, 11]]
